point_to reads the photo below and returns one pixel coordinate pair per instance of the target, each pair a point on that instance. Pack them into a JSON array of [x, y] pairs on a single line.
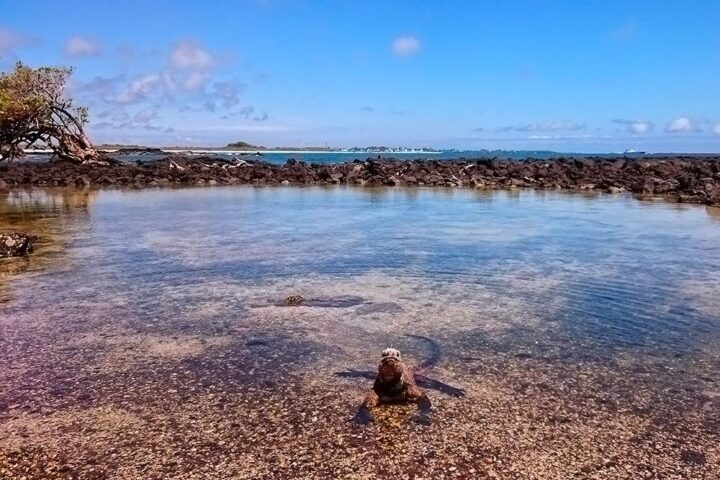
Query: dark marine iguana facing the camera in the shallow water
[[395, 382]]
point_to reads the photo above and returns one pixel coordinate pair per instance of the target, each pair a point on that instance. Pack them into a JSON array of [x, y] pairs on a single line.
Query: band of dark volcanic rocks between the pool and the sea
[[694, 179]]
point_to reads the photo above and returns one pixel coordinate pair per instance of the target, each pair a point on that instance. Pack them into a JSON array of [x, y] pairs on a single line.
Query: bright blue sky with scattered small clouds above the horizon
[[589, 76]]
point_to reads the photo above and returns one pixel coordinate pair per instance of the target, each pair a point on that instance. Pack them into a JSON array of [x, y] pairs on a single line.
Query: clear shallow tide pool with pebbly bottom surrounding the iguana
[[146, 337]]
